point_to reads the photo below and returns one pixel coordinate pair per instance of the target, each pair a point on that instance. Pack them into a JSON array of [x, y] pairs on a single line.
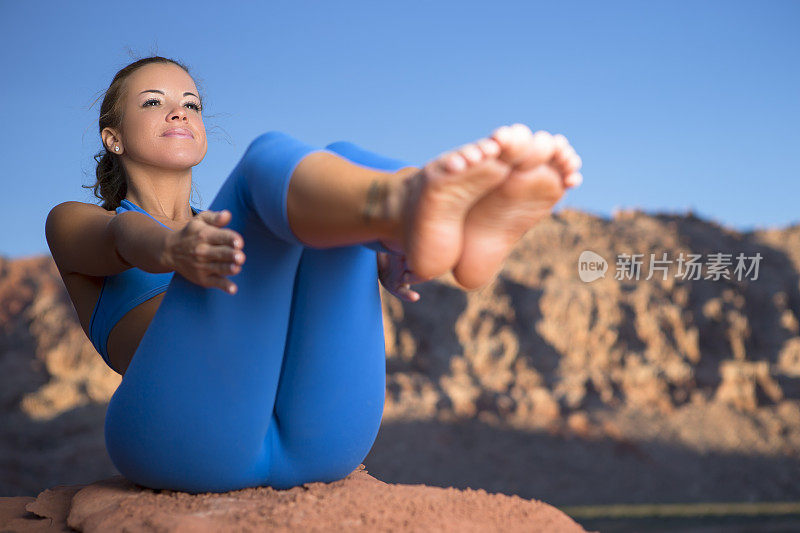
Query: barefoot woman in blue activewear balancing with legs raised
[[278, 377]]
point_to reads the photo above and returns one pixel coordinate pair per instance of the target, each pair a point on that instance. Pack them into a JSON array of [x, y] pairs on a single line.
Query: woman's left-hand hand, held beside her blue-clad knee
[[204, 253]]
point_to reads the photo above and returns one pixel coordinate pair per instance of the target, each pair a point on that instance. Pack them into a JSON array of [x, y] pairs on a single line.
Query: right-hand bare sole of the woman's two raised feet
[[543, 166]]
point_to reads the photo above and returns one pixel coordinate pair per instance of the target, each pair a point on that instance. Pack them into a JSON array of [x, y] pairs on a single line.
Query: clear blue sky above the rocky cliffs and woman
[[671, 105]]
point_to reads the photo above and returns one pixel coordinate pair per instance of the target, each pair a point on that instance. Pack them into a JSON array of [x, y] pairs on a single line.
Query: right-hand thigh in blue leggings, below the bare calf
[[331, 392]]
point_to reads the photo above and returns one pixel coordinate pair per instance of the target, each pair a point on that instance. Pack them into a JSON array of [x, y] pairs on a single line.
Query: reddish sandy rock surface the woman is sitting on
[[357, 503]]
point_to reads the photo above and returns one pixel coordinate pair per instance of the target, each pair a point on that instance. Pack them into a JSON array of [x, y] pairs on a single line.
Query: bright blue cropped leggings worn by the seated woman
[[278, 385]]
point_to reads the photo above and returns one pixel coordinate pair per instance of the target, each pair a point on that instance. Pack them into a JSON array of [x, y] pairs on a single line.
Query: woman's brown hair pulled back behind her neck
[[111, 186]]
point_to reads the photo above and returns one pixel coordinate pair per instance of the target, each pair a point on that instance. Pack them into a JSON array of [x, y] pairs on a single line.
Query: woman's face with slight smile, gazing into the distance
[[159, 98]]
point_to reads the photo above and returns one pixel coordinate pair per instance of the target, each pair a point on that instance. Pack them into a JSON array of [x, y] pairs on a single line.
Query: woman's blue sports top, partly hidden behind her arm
[[122, 292]]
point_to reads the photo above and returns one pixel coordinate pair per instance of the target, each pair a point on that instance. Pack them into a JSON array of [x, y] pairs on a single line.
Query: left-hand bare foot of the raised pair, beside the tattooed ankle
[[435, 201]]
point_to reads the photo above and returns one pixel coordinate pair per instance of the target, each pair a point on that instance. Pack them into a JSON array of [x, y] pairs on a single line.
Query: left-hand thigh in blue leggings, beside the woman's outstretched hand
[[197, 399]]
